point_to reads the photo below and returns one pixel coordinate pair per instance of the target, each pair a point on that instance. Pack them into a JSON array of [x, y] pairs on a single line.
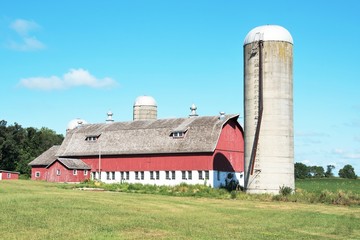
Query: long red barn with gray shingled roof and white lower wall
[[193, 150]]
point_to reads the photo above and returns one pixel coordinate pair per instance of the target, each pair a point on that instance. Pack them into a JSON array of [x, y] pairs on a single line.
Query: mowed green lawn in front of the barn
[[39, 210]]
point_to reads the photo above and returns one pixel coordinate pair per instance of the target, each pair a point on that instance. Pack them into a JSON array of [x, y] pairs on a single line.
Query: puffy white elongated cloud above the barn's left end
[[73, 78]]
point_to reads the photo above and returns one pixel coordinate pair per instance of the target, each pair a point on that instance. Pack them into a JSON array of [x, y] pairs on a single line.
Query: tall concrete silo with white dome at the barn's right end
[[268, 106]]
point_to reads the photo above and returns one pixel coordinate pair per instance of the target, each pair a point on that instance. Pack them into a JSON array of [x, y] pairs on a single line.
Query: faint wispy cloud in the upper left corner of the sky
[[27, 42]]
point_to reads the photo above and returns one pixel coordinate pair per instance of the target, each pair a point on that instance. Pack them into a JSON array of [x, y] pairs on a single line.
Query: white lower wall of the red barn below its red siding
[[214, 179]]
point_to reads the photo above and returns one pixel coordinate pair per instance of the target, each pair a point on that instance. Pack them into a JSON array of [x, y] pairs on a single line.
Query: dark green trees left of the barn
[[19, 146]]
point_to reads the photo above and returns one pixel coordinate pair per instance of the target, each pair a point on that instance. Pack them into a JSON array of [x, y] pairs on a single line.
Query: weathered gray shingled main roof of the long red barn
[[145, 137]]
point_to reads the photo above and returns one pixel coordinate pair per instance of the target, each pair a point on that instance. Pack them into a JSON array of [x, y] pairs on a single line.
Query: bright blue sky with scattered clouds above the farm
[[66, 59]]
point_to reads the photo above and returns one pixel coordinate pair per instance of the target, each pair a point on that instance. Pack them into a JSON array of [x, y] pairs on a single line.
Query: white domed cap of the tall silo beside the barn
[[268, 33]]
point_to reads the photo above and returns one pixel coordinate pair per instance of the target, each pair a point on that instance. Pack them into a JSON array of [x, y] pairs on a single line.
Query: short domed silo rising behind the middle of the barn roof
[[145, 108]]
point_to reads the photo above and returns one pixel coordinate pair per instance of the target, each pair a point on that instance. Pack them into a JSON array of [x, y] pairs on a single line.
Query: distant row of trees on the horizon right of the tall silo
[[303, 171]]
